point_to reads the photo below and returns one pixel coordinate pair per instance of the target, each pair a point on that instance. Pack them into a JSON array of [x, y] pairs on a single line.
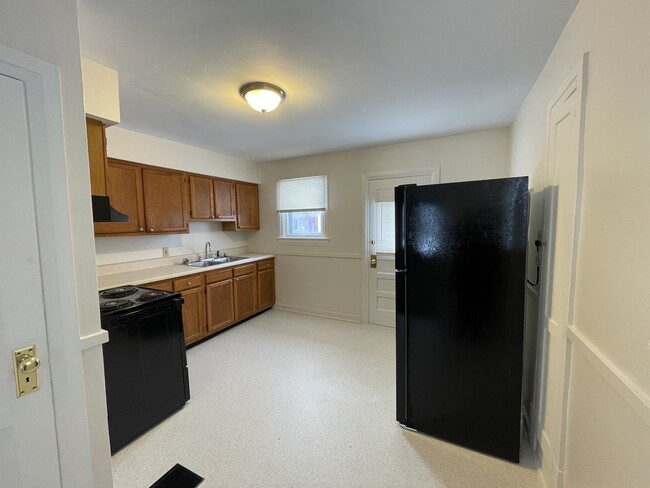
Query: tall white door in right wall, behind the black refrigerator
[[561, 234]]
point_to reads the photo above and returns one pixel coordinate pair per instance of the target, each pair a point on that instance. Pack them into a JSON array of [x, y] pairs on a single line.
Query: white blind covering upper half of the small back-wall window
[[302, 194]]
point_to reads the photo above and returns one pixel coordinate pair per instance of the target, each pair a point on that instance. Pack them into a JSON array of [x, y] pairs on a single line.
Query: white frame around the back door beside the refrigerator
[[366, 178]]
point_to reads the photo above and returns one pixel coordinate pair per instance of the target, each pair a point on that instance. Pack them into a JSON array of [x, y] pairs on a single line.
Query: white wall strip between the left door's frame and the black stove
[[49, 31]]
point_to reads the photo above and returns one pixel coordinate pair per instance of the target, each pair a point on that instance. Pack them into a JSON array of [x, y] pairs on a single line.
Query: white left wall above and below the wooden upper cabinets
[[142, 148]]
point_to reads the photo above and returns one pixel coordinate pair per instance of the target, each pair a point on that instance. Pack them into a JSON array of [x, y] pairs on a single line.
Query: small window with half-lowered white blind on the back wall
[[302, 207]]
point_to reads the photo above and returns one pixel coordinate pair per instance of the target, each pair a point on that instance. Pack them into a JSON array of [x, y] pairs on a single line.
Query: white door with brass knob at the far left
[[28, 447]]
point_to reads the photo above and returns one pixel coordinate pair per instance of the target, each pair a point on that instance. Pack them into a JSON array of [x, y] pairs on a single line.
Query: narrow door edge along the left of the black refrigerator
[[400, 305]]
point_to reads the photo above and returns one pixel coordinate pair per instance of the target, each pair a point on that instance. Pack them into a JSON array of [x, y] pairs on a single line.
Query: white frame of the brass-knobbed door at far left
[[55, 232]]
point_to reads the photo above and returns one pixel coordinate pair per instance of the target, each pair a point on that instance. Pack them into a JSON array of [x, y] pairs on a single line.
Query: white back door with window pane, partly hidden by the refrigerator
[[381, 248]]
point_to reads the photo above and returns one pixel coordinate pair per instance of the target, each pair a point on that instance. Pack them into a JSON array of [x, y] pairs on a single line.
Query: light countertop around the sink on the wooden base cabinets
[[171, 271]]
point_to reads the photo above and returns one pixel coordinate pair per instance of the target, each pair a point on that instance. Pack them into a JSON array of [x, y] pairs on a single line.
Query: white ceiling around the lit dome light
[[357, 72]]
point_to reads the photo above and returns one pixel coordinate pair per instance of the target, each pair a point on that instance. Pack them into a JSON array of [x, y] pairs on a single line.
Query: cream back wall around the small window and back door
[[326, 279]]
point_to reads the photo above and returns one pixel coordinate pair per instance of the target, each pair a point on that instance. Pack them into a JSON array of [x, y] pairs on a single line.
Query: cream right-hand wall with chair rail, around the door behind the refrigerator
[[608, 422]]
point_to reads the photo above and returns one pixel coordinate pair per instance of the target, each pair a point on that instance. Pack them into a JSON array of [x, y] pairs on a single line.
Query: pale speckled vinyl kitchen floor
[[290, 400]]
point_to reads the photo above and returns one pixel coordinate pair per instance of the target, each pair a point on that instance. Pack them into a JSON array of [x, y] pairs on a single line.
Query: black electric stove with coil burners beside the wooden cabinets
[[145, 366]]
